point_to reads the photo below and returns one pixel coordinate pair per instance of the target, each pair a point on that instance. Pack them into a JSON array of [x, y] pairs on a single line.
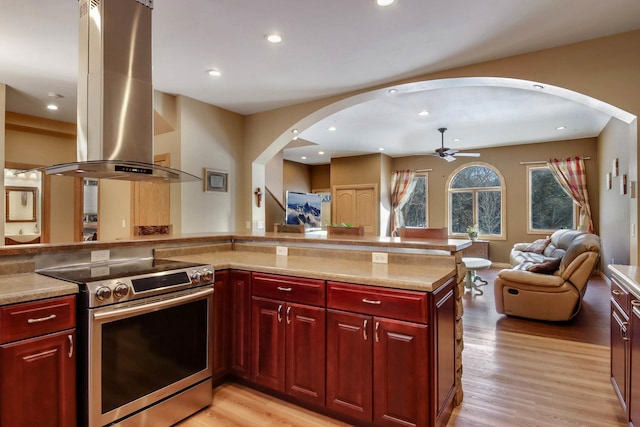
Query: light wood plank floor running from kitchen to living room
[[511, 377]]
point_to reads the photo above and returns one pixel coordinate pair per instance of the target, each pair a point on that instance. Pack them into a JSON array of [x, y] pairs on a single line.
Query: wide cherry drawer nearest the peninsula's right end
[[393, 303]]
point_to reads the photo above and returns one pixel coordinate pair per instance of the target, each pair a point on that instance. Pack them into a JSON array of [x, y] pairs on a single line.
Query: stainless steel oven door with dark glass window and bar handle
[[145, 351]]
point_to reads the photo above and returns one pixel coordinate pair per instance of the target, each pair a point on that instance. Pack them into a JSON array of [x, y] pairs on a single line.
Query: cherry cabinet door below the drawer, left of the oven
[[38, 381]]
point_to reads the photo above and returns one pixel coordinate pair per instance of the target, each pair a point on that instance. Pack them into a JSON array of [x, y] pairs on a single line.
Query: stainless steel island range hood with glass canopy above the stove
[[115, 95]]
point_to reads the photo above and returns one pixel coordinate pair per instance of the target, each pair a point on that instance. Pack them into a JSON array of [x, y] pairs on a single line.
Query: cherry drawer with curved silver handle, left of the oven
[[31, 319]]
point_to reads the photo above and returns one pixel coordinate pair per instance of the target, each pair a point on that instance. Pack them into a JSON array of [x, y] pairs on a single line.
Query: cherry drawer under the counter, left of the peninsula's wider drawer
[[292, 289]]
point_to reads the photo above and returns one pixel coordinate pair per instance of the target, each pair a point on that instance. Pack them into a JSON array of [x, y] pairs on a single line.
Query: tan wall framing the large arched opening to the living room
[[606, 69]]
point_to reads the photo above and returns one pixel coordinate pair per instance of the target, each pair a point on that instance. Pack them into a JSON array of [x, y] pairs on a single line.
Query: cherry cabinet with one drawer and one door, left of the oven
[[37, 363]]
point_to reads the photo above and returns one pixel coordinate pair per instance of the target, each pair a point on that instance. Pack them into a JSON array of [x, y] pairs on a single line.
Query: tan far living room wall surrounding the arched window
[[507, 161]]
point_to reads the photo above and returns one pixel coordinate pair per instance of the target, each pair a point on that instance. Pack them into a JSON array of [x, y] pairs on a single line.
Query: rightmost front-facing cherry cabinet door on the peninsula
[[400, 373]]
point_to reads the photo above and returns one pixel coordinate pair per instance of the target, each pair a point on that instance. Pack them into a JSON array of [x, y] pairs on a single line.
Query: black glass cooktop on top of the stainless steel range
[[91, 272]]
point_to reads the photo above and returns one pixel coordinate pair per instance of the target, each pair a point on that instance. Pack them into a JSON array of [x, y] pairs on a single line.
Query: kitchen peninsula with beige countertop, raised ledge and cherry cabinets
[[423, 330]]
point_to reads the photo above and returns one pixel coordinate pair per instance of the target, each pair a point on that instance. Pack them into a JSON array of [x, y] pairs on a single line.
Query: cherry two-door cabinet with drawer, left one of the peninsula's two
[[288, 336]]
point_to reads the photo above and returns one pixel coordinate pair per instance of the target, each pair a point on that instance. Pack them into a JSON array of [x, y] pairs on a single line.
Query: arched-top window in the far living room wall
[[476, 198]]
